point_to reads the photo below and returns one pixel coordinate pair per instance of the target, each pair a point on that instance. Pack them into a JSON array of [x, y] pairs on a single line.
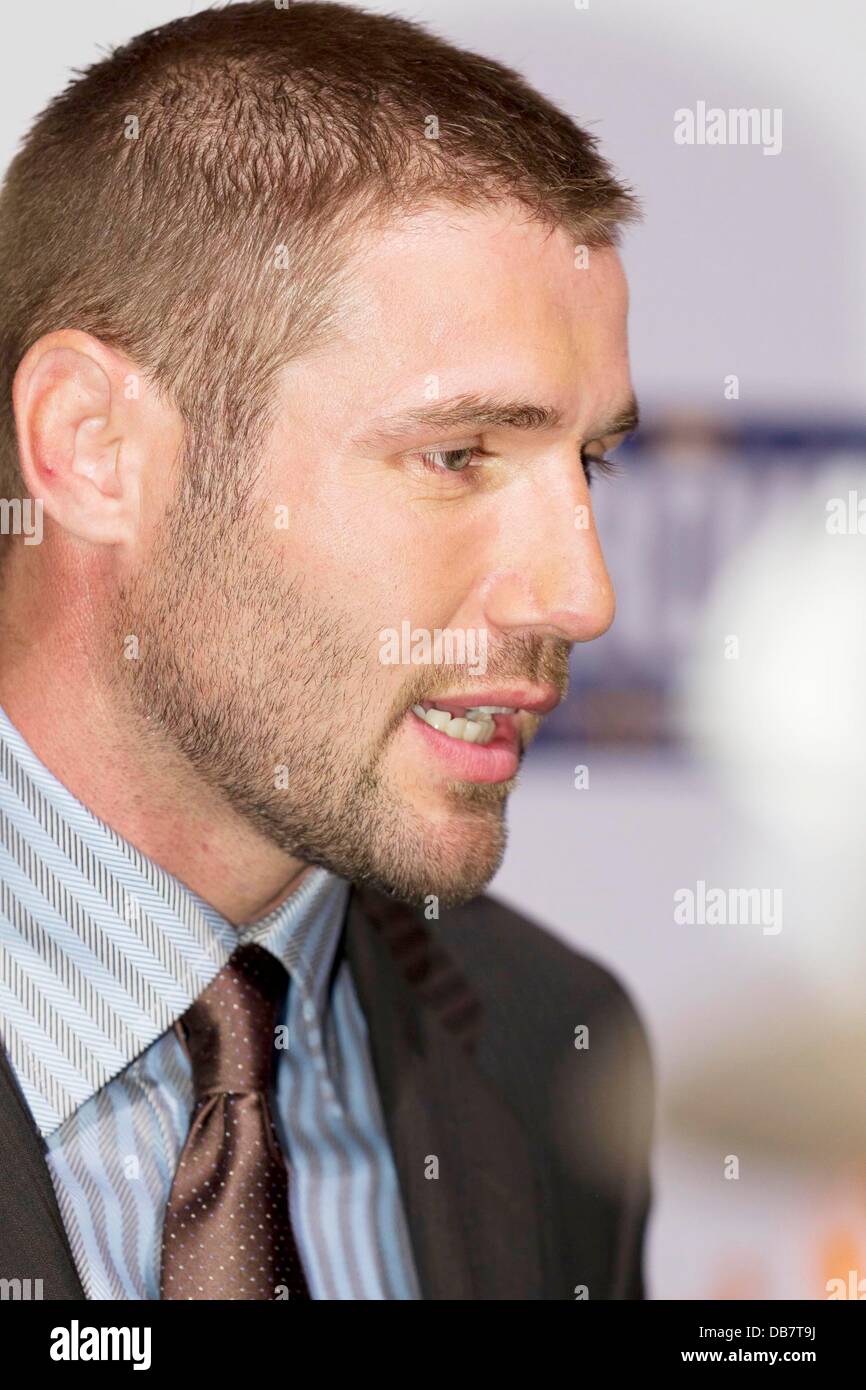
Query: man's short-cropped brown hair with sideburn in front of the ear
[[155, 199]]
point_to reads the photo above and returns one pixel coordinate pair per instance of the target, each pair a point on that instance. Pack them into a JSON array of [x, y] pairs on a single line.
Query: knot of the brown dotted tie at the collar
[[230, 1028]]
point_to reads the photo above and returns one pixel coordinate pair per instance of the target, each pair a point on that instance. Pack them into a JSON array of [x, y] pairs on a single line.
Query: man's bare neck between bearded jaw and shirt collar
[[90, 737]]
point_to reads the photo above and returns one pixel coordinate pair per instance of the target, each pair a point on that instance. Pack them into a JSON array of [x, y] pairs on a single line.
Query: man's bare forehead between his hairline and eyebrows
[[476, 301]]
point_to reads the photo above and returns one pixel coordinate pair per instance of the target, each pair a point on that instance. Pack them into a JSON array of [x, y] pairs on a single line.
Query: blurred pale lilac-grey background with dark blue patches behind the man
[[715, 735]]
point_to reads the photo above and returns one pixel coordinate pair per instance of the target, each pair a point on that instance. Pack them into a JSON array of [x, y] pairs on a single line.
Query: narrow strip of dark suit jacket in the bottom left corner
[[33, 1241]]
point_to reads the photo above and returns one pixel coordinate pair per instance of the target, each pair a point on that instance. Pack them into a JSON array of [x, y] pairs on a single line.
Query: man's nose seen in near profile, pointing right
[[550, 575]]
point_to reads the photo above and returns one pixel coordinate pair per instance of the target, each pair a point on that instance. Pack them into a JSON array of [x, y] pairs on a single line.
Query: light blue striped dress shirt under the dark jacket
[[101, 951]]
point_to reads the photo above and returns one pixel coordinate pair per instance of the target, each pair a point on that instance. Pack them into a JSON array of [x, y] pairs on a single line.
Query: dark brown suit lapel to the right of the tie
[[475, 1228]]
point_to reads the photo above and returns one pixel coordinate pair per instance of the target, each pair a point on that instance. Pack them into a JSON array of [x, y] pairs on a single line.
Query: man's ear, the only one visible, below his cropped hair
[[77, 437]]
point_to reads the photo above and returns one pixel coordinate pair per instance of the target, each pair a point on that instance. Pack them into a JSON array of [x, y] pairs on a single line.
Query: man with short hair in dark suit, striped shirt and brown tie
[[313, 332]]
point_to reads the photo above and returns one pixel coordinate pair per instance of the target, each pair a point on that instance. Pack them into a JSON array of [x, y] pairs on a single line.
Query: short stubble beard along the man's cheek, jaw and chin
[[265, 697]]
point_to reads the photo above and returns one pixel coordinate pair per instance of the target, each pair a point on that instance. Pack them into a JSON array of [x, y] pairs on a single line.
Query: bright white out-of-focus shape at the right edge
[[783, 722]]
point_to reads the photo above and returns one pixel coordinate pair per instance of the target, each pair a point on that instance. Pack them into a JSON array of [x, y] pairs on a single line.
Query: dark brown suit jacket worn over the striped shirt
[[523, 1160]]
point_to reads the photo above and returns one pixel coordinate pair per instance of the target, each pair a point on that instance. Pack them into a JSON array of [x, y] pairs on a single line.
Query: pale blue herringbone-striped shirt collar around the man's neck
[[102, 950]]
